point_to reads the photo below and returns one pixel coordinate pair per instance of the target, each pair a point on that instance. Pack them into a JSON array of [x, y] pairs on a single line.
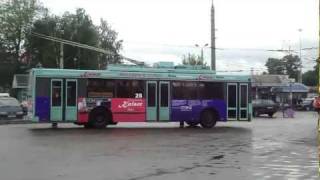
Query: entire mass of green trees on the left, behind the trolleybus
[[19, 50]]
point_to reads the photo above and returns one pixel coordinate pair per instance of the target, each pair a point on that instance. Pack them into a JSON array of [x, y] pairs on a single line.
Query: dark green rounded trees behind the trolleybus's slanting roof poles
[[79, 28]]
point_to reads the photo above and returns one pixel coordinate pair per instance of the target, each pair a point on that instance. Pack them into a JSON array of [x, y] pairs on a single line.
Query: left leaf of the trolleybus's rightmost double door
[[232, 101]]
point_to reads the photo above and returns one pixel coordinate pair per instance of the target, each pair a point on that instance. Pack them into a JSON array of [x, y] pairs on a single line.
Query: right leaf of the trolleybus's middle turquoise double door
[[164, 100]]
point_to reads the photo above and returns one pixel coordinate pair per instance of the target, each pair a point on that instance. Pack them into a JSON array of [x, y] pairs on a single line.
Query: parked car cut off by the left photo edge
[[10, 108]]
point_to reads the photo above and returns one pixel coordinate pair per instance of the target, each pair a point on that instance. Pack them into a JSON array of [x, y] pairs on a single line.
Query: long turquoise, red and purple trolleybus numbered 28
[[123, 93]]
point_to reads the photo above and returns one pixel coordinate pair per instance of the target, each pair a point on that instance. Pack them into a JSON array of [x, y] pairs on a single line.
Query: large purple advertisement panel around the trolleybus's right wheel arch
[[190, 110]]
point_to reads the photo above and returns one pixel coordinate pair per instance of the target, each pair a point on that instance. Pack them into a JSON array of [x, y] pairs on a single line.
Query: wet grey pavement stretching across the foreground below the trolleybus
[[267, 148]]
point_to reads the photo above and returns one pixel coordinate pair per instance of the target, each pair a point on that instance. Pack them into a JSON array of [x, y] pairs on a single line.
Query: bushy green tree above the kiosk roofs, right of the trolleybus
[[289, 65]]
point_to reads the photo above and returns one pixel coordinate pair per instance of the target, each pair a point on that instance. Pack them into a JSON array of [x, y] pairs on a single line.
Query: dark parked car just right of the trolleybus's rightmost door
[[264, 106]]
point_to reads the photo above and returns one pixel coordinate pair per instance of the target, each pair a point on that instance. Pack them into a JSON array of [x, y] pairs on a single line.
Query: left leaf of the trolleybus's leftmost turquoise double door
[[56, 102]]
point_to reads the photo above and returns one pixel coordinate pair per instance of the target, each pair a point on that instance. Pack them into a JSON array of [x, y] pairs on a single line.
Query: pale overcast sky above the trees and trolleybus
[[164, 30]]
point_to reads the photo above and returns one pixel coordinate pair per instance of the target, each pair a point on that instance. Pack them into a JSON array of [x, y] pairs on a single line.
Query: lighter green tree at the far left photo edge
[[16, 18]]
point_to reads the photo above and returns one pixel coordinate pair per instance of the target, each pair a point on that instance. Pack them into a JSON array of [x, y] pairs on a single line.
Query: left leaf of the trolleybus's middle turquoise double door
[[152, 100]]
